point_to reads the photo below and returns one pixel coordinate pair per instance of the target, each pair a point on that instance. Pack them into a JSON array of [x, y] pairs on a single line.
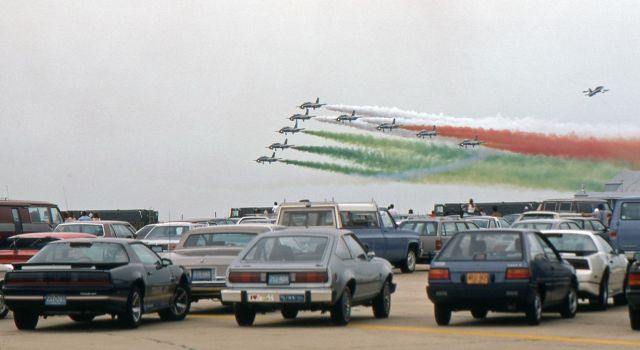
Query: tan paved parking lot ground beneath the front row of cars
[[411, 325]]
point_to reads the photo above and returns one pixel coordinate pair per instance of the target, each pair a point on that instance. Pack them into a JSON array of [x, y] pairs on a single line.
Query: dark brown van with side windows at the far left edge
[[19, 216]]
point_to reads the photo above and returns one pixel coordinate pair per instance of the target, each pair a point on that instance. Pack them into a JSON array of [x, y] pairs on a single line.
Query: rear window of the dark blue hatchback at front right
[[494, 246]]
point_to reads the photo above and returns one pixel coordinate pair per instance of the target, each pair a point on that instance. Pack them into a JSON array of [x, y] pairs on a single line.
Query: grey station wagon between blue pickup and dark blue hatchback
[[434, 232]]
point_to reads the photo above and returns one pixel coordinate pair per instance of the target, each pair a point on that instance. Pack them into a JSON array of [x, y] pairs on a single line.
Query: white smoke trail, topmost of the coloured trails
[[376, 114]]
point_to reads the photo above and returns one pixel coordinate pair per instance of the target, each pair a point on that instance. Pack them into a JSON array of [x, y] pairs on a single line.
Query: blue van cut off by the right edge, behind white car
[[625, 225]]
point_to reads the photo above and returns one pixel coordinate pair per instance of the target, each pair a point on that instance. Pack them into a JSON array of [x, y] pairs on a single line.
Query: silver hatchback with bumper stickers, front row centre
[[313, 269]]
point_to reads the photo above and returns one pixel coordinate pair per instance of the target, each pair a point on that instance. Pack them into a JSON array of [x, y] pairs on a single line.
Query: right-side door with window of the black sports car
[[160, 283]]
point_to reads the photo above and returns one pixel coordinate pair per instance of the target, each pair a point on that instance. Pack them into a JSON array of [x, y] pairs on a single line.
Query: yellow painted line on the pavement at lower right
[[489, 334]]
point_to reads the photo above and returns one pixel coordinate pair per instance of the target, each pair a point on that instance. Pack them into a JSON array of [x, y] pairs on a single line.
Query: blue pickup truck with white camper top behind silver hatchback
[[374, 227]]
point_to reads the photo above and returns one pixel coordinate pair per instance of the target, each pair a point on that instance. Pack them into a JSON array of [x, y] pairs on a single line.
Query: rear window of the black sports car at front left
[[71, 252]]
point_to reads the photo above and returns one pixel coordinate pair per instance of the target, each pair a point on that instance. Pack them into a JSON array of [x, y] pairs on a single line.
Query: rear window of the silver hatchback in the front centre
[[288, 248]]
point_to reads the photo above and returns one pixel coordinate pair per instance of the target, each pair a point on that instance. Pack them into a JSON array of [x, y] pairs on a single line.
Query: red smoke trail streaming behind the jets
[[549, 145]]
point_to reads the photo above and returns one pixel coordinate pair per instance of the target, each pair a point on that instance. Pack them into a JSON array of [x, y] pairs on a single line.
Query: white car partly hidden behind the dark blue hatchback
[[601, 269]]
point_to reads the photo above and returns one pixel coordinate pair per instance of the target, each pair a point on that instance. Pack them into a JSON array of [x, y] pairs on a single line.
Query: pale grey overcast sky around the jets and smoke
[[165, 104]]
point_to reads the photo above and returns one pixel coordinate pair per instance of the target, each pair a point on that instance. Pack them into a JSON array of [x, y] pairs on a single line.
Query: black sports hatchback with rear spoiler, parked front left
[[84, 278]]
